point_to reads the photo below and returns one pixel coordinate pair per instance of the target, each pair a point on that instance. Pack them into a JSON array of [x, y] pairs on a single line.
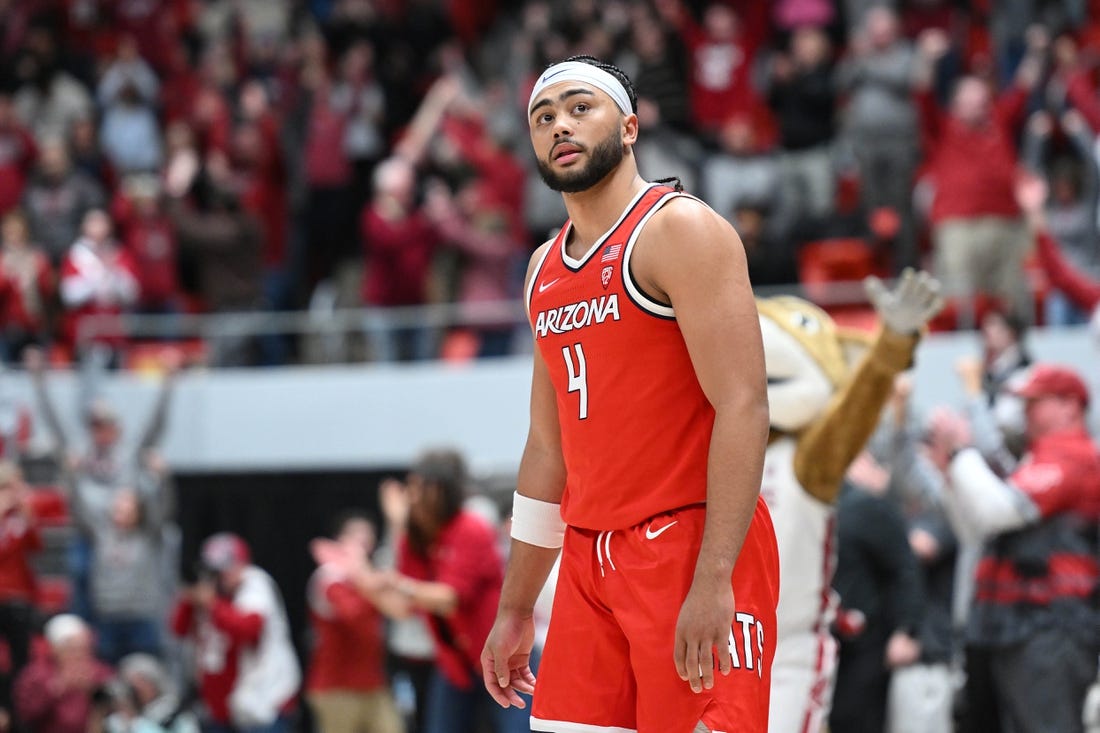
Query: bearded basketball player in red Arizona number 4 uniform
[[650, 420]]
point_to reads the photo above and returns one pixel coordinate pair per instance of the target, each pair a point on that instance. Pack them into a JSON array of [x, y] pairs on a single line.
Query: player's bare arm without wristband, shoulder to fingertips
[[692, 259]]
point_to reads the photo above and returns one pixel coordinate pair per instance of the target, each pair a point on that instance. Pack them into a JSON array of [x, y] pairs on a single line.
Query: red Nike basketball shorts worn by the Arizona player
[[608, 663]]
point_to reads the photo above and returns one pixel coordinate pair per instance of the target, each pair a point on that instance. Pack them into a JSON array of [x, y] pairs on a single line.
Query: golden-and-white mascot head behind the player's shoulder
[[808, 359]]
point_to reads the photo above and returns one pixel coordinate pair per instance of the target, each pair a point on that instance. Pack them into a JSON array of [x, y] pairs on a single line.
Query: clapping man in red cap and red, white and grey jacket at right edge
[[1035, 609]]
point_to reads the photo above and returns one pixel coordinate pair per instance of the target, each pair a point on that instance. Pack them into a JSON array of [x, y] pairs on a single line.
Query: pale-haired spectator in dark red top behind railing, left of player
[[400, 244]]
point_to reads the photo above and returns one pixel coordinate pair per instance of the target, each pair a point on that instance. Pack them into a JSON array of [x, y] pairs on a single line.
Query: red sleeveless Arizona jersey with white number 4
[[635, 423]]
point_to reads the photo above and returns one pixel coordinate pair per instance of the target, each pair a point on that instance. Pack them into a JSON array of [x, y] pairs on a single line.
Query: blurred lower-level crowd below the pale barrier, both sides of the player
[[961, 603]]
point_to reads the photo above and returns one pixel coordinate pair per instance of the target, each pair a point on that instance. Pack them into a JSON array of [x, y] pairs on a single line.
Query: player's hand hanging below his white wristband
[[507, 660]]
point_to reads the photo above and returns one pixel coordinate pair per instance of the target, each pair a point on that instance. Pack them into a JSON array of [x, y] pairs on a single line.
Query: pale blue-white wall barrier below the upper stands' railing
[[381, 415]]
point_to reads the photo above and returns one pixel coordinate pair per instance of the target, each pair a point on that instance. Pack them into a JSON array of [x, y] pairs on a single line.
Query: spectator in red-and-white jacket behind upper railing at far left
[[98, 279]]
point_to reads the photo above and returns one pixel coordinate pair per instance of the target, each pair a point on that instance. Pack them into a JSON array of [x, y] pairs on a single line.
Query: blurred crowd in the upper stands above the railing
[[239, 157]]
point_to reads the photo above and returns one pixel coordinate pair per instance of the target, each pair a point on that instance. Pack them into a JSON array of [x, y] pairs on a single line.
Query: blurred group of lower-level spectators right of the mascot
[[967, 541]]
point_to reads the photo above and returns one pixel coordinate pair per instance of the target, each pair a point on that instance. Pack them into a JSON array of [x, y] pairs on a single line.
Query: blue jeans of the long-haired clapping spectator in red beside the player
[[453, 710]]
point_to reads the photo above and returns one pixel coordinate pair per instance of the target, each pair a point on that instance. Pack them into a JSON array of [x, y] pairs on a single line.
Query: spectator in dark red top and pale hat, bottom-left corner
[[54, 693]]
